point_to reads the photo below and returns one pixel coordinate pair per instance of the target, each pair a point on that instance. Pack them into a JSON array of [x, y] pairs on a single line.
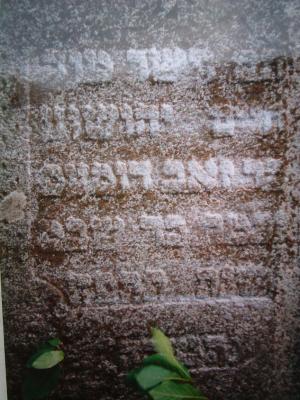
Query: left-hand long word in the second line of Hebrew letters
[[98, 121]]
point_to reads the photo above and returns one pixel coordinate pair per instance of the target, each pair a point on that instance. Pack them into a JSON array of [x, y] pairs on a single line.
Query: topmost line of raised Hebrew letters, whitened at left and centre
[[165, 65]]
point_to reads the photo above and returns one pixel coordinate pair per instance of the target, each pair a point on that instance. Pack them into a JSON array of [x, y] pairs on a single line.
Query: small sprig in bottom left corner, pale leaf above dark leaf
[[44, 369]]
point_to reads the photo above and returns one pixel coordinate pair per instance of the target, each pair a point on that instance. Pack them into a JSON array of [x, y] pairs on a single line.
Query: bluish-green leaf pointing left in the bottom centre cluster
[[152, 375]]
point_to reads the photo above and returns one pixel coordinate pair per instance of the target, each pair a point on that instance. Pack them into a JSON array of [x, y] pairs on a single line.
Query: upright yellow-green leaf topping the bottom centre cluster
[[163, 346]]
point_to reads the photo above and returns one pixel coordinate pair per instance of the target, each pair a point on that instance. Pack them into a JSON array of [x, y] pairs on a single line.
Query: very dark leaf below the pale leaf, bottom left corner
[[38, 384]]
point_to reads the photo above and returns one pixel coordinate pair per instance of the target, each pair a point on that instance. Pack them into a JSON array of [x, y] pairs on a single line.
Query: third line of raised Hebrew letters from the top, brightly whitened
[[167, 175]]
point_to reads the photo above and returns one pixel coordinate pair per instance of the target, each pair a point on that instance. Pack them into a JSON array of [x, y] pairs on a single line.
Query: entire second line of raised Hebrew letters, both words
[[95, 120]]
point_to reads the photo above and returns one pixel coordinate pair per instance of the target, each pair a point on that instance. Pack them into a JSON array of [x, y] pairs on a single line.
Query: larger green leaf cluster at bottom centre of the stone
[[162, 376]]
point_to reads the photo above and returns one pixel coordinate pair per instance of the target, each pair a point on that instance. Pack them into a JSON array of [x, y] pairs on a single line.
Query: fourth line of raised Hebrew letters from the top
[[192, 228]]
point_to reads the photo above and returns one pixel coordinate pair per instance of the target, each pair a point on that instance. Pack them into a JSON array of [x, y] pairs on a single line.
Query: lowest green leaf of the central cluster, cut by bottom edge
[[176, 391]]
